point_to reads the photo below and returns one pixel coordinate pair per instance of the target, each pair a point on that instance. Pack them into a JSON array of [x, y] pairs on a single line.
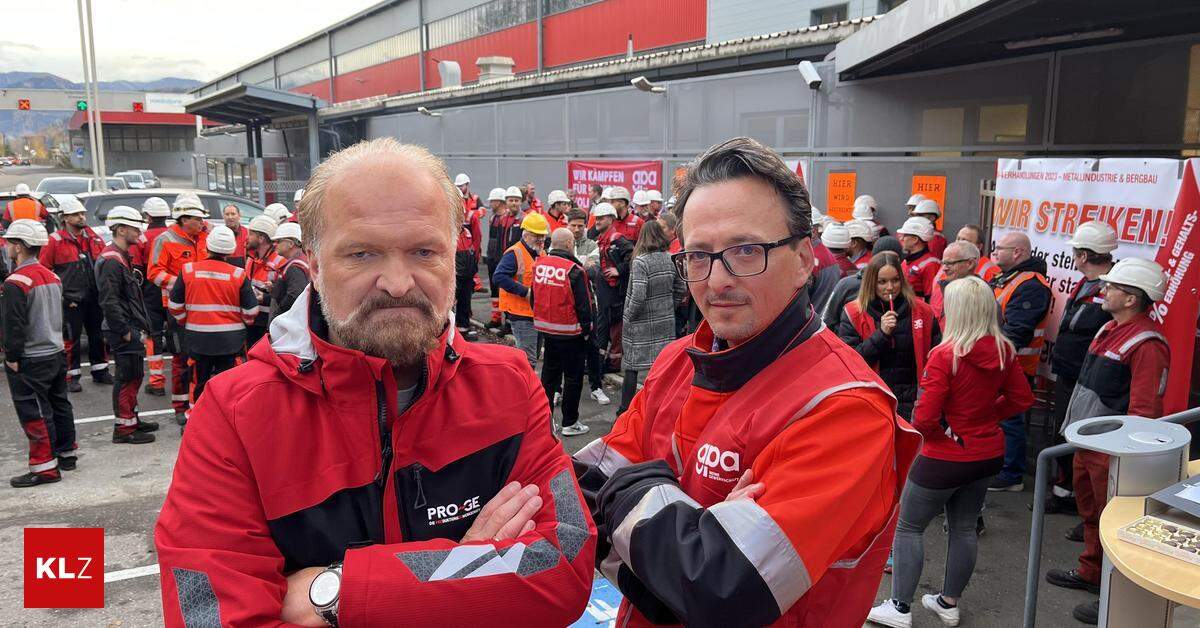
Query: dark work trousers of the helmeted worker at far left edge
[[39, 391]]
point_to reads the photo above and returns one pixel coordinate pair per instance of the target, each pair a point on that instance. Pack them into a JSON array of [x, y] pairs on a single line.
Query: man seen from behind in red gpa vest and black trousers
[[562, 315]]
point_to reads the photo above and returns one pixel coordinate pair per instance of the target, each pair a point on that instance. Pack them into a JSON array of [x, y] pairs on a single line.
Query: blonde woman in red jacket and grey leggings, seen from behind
[[971, 382]]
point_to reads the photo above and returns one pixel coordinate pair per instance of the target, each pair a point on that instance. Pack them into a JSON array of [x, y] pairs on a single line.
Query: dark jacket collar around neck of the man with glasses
[[725, 370]]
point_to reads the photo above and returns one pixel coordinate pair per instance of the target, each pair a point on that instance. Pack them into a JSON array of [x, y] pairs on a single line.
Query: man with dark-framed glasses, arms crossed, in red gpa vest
[[755, 477]]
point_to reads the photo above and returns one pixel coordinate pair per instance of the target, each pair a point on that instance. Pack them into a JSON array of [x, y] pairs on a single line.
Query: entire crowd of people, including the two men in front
[[787, 378]]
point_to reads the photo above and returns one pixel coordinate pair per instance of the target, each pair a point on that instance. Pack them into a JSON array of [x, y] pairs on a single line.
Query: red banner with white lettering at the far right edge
[[1179, 308]]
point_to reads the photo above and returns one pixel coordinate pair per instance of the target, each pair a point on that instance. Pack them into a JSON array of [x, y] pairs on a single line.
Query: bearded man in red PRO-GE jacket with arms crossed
[[368, 466]]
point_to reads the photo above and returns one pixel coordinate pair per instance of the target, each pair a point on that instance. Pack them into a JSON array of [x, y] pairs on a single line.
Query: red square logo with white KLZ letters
[[64, 569]]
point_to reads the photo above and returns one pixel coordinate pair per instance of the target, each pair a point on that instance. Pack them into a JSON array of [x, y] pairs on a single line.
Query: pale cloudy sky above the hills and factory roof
[[145, 40]]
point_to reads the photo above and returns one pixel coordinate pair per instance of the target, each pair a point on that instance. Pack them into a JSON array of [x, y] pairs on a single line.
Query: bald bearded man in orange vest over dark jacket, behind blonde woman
[[1024, 296]]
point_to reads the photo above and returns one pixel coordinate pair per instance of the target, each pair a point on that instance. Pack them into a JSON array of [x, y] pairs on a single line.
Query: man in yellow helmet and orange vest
[[514, 277]]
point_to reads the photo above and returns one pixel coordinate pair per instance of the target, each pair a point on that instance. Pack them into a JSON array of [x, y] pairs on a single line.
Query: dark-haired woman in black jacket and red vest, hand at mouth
[[891, 328]]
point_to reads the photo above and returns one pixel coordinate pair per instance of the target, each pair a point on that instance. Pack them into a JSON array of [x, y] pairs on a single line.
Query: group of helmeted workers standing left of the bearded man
[[169, 280]]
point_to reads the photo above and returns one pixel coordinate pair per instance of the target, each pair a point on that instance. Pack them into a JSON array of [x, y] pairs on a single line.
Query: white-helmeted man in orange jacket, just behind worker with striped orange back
[[179, 246]]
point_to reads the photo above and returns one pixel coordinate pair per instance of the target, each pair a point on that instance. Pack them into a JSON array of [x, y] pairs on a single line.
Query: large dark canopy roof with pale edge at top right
[[934, 34]]
